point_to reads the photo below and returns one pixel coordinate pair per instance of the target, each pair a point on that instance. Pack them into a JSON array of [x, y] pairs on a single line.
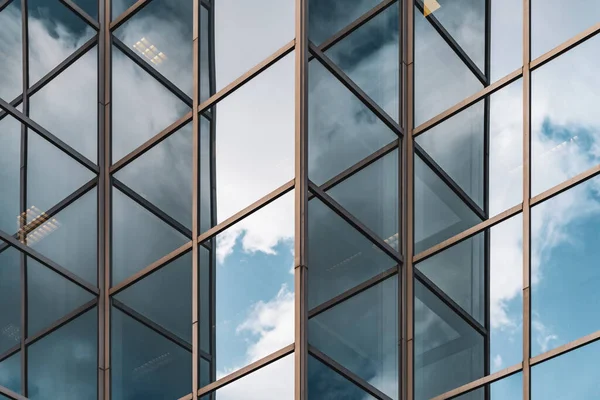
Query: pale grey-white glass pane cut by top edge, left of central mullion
[[247, 32]]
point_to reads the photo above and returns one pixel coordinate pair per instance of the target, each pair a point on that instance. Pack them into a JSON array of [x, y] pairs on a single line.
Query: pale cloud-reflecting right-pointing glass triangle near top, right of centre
[[442, 79]]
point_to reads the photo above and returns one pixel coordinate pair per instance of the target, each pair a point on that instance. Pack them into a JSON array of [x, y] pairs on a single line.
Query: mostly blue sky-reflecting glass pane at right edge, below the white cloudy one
[[565, 276]]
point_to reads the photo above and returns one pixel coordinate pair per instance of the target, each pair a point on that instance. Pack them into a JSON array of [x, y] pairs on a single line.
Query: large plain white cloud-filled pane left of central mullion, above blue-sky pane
[[253, 134]]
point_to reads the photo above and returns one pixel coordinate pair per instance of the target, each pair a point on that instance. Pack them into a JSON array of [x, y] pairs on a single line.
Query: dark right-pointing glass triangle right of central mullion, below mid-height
[[340, 257]]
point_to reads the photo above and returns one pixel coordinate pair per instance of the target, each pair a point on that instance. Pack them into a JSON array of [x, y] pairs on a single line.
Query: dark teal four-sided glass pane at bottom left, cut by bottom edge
[[64, 364]]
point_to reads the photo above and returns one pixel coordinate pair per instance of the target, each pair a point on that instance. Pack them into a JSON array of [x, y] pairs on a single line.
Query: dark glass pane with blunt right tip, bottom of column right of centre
[[443, 340]]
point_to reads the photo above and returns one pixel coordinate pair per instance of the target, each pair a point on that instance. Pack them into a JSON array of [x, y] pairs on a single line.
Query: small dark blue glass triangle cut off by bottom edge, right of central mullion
[[325, 383]]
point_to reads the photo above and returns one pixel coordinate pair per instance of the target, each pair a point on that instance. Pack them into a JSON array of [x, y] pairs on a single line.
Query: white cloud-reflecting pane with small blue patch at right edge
[[564, 123]]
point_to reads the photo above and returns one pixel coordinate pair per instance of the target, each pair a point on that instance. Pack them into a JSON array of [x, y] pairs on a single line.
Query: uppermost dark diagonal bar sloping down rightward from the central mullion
[[355, 89]]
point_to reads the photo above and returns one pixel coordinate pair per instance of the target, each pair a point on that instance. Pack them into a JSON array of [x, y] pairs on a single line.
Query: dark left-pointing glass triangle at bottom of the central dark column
[[361, 334]]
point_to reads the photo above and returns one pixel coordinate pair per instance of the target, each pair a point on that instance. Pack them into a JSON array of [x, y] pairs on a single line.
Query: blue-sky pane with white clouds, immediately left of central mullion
[[254, 286]]
